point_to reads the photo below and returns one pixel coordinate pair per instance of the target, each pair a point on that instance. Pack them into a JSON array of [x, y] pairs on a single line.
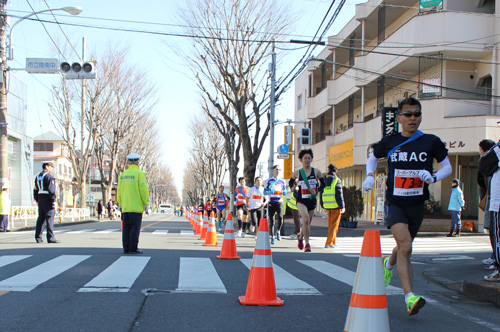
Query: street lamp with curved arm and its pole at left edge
[[3, 79]]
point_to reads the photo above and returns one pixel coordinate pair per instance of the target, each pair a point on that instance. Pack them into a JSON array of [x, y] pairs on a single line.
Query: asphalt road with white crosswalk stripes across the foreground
[[85, 283]]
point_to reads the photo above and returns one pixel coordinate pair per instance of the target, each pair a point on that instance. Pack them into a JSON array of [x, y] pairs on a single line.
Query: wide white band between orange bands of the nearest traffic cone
[[365, 283]]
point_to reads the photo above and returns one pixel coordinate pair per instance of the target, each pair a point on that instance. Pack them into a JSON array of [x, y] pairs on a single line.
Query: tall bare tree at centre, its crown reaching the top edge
[[230, 45]]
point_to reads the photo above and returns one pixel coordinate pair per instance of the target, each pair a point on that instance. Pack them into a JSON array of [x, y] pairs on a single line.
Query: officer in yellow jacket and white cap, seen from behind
[[132, 195]]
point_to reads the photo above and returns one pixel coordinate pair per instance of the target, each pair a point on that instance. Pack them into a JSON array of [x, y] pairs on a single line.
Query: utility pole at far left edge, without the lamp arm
[[4, 166]]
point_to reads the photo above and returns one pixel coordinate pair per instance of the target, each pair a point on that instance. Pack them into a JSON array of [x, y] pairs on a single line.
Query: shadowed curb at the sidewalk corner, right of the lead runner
[[475, 290]]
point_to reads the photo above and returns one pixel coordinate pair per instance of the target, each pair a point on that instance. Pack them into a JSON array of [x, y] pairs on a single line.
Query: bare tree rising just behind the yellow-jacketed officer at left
[[133, 98]]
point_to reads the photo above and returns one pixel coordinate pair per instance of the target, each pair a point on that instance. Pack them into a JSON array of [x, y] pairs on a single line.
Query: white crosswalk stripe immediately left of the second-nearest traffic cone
[[199, 275]]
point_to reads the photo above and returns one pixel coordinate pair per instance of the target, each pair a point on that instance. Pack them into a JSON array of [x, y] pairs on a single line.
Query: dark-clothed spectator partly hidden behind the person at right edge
[[483, 182]]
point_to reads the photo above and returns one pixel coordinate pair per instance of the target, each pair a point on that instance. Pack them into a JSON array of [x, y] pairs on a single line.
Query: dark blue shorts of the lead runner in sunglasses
[[413, 216]]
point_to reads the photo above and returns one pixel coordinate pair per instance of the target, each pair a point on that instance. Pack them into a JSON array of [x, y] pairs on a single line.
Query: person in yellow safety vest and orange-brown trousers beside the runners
[[332, 201]]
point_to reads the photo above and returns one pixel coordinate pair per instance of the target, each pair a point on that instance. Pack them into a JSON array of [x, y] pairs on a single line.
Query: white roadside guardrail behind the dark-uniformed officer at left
[[30, 213]]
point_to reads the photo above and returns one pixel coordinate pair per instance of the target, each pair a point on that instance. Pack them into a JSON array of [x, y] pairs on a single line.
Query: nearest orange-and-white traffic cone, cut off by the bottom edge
[[368, 307]]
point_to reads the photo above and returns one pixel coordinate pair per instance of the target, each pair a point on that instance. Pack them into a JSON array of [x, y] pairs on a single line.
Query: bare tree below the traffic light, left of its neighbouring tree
[[67, 109]]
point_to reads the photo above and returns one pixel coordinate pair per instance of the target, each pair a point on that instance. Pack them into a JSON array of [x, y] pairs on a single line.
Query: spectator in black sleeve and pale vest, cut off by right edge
[[489, 165]]
